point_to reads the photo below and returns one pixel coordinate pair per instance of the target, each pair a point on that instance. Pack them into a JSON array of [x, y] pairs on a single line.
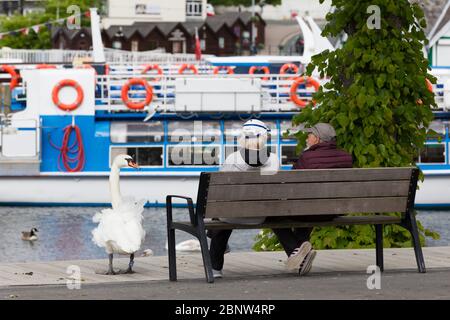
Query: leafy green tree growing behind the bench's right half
[[376, 99]]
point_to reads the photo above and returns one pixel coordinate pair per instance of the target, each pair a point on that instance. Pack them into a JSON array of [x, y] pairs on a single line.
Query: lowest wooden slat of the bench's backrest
[[304, 207]]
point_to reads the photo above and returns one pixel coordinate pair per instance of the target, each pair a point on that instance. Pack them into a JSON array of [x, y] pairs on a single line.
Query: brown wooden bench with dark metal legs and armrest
[[373, 191]]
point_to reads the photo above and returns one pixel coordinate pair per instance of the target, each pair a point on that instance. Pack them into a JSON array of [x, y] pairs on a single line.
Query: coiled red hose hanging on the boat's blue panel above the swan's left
[[71, 154]]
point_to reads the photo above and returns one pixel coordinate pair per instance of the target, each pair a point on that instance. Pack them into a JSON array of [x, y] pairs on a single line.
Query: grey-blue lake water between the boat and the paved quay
[[65, 232]]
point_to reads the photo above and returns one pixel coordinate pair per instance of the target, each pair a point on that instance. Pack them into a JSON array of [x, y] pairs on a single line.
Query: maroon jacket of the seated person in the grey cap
[[323, 155]]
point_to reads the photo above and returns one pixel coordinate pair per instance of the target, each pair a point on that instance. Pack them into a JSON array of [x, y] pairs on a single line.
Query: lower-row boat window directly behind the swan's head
[[144, 156]]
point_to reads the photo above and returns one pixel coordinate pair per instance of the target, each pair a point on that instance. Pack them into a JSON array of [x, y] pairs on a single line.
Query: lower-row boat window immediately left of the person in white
[[205, 155]]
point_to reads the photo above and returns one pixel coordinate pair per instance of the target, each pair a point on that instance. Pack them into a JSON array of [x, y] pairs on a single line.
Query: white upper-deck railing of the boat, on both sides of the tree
[[275, 91]]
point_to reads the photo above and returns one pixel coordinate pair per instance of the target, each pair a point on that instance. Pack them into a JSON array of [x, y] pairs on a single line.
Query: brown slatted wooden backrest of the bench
[[306, 192]]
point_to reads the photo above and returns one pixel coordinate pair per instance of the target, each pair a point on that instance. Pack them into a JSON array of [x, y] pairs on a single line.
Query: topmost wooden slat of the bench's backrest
[[316, 175]]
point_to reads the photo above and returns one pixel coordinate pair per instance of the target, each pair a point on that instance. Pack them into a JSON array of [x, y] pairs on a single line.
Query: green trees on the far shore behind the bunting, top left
[[53, 9]]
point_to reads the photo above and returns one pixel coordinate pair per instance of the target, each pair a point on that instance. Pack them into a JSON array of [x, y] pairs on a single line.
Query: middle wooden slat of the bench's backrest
[[308, 190]]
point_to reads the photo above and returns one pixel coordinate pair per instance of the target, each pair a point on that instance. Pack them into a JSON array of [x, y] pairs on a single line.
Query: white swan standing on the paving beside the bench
[[120, 229]]
